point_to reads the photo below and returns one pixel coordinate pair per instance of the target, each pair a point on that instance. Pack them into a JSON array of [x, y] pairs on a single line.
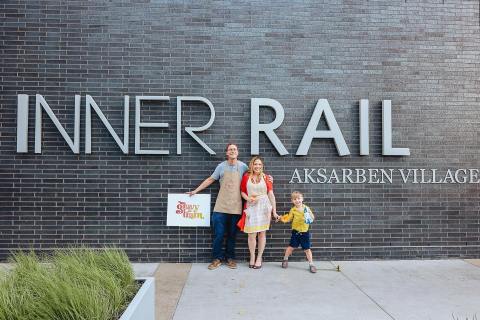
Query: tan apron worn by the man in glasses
[[229, 198]]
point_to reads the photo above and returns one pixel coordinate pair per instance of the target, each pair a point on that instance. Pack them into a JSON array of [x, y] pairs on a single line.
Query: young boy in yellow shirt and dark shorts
[[302, 217]]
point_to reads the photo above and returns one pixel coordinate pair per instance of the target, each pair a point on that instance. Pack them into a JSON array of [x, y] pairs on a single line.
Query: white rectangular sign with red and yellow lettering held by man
[[188, 211]]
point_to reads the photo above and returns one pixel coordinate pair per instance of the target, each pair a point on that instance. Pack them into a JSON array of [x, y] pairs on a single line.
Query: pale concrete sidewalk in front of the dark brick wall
[[413, 289]]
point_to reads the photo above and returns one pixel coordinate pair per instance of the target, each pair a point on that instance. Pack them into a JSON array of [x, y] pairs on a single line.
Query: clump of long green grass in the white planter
[[71, 284]]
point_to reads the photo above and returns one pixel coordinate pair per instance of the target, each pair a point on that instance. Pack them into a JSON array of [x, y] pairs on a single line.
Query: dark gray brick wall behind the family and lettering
[[423, 55]]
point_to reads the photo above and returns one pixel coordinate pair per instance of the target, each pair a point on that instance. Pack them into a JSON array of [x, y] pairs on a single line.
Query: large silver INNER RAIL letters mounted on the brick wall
[[321, 108]]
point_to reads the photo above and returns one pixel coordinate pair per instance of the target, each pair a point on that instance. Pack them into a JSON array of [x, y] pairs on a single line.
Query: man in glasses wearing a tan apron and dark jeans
[[228, 206]]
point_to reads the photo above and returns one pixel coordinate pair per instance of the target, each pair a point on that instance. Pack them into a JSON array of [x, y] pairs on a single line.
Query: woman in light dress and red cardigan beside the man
[[259, 207]]
